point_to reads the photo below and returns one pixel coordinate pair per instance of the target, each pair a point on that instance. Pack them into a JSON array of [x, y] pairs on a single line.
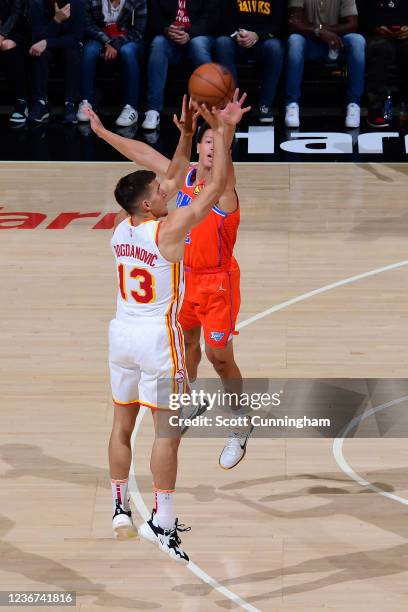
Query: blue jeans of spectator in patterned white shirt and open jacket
[[129, 58]]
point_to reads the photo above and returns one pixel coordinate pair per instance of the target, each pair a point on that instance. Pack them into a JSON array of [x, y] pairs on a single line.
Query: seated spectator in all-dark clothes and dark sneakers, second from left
[[56, 27]]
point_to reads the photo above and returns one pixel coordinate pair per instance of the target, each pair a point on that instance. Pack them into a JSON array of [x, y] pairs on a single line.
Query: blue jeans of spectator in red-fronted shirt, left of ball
[[163, 52]]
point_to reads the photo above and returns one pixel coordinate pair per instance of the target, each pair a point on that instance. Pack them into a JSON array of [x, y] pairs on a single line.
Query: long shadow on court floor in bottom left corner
[[45, 571]]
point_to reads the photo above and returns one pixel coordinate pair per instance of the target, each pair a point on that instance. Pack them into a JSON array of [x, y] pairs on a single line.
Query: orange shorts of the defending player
[[212, 300]]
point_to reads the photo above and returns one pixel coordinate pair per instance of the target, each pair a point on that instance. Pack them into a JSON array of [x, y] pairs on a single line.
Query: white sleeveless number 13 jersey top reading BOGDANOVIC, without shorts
[[149, 285]]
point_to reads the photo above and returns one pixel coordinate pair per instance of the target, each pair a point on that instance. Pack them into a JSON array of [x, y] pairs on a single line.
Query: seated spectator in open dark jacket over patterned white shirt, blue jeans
[[115, 30]]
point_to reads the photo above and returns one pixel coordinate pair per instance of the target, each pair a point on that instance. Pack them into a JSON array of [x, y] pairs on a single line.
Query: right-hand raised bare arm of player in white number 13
[[180, 221]]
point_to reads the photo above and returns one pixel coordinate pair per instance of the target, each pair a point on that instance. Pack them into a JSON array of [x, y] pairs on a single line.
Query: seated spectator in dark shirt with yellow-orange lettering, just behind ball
[[254, 31]]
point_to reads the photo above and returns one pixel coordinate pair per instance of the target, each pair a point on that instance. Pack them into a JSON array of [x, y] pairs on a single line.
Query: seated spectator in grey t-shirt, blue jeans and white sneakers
[[323, 31]]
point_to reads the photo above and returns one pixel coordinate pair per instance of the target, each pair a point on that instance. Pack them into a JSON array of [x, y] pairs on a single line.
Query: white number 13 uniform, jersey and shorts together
[[146, 349]]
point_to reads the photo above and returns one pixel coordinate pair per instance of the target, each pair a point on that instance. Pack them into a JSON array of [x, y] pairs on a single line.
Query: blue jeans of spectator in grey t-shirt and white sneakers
[[301, 49]]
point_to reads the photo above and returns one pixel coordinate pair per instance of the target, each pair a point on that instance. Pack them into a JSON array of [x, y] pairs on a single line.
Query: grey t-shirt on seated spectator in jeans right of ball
[[326, 12]]
